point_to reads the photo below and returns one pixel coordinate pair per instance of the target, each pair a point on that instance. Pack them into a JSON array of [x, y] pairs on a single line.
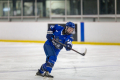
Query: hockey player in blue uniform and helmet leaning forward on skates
[[52, 48]]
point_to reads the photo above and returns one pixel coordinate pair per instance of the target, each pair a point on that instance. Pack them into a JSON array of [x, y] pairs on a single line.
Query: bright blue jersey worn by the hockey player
[[59, 36]]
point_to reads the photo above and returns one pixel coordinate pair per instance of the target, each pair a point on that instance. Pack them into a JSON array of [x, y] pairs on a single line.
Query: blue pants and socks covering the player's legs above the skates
[[50, 59]]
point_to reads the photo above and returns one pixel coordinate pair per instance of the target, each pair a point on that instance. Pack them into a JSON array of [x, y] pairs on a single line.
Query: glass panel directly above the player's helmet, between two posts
[[73, 7]]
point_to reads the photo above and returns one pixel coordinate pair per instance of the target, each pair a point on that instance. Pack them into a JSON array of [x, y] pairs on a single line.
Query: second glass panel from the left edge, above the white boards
[[15, 7]]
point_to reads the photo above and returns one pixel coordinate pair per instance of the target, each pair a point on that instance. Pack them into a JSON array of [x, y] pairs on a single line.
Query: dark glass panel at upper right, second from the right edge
[[107, 7]]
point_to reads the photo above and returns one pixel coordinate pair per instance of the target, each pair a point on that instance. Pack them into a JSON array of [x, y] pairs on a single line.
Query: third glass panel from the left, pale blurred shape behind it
[[28, 7]]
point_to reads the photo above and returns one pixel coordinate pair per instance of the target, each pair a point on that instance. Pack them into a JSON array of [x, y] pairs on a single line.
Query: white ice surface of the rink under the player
[[20, 61]]
